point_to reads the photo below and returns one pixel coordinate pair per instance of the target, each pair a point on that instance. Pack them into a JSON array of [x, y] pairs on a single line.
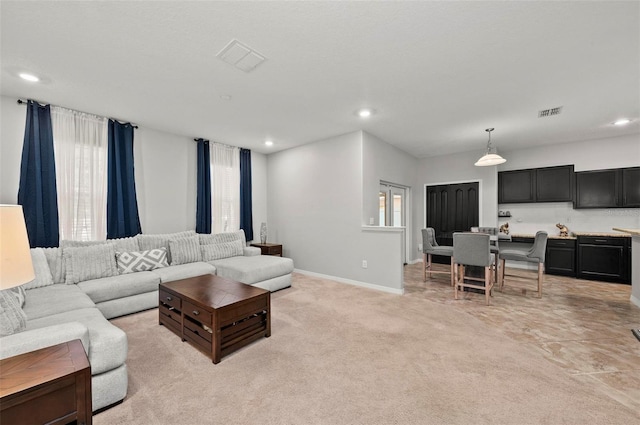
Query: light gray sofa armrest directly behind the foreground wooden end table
[[35, 339]]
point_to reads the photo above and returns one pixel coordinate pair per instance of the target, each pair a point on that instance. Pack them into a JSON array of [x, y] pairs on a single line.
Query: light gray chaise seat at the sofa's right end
[[251, 270]]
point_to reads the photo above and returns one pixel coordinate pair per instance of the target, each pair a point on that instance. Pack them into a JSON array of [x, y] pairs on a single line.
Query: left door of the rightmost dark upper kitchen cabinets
[[598, 189]]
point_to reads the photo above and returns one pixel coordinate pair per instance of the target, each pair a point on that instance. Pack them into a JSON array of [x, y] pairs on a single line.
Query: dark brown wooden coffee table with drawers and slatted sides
[[214, 314]]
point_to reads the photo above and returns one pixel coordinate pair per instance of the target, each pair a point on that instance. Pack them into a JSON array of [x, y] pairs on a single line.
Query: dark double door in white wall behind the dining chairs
[[451, 208]]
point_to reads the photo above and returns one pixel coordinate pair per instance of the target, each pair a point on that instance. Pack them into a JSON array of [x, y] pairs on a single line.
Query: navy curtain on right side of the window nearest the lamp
[[122, 203]]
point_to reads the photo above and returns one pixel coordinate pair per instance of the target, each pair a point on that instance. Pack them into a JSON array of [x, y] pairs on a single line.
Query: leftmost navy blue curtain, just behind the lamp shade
[[37, 189]]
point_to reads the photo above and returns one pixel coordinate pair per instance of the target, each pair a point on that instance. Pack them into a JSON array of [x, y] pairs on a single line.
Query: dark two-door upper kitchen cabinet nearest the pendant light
[[550, 184]]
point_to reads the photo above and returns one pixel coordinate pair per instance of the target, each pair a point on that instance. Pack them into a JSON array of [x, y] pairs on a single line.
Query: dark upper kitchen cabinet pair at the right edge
[[619, 188]]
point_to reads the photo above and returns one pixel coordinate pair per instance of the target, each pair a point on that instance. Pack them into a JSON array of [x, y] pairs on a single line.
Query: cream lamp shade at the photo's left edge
[[16, 267]]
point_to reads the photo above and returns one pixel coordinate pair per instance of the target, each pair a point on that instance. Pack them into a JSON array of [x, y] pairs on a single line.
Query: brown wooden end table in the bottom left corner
[[51, 385]]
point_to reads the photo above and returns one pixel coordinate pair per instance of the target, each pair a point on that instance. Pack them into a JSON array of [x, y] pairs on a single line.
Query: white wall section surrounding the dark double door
[[452, 169]]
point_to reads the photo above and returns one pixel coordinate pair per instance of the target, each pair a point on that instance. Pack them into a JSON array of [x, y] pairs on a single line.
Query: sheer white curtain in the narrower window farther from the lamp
[[225, 188]]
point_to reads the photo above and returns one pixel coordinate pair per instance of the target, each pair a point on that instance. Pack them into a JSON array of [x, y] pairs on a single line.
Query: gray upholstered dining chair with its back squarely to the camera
[[472, 249]]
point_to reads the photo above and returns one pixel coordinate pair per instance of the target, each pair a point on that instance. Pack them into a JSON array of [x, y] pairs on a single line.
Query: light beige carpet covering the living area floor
[[341, 354]]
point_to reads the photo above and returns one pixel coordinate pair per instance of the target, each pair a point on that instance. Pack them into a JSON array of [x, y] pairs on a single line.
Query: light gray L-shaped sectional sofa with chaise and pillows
[[81, 285]]
